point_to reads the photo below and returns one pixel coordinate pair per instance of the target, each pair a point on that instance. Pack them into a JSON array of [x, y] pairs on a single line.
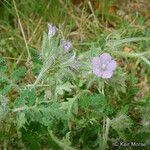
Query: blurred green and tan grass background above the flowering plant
[[82, 20]]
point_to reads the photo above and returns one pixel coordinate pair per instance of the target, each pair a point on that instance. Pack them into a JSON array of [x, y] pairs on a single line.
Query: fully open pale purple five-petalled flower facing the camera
[[103, 66]]
